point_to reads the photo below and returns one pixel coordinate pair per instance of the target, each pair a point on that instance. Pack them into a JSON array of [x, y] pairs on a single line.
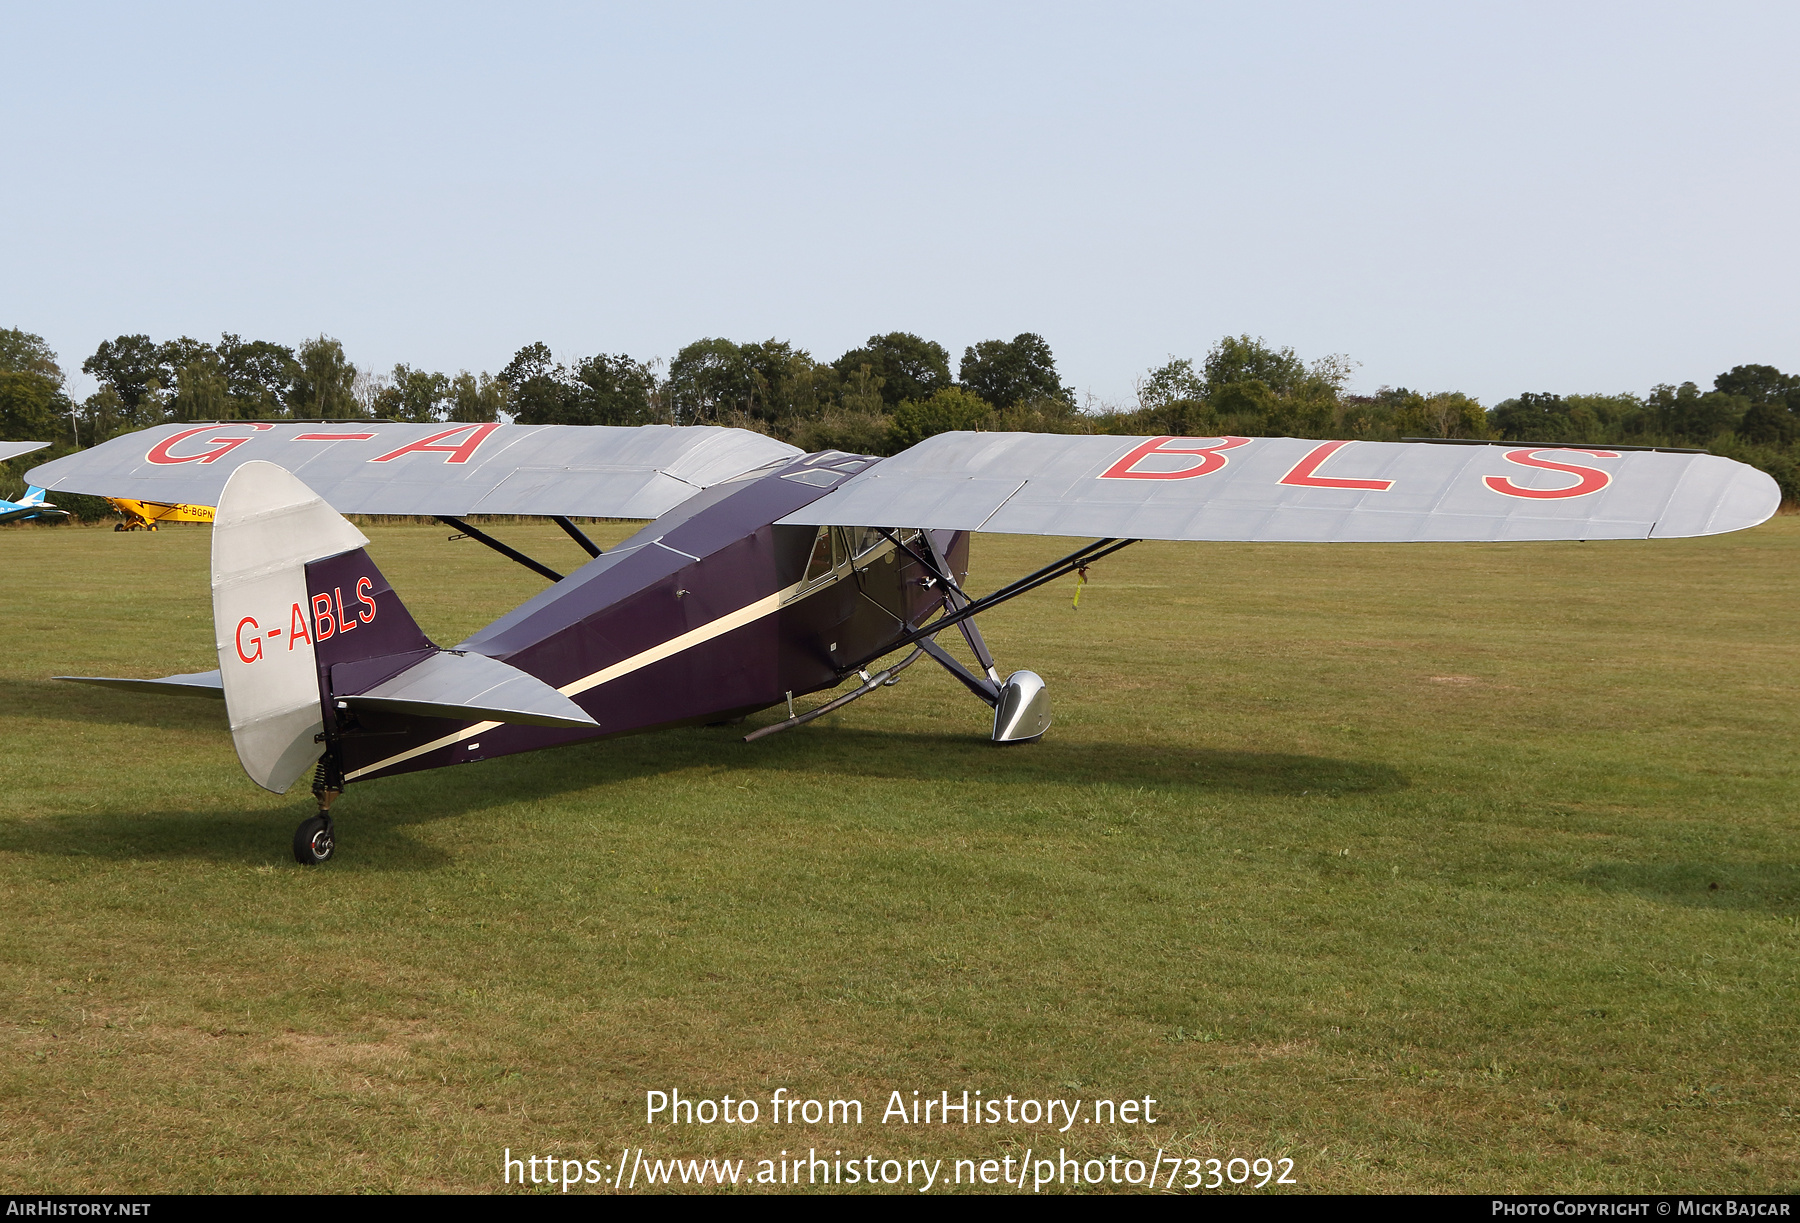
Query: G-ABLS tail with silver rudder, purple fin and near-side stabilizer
[[309, 626]]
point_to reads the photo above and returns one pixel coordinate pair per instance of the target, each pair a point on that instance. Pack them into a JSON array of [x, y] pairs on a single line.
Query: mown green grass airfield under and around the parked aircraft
[[1428, 867]]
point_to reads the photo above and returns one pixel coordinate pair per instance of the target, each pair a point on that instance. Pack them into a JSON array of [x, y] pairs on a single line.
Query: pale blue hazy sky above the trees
[[1570, 197]]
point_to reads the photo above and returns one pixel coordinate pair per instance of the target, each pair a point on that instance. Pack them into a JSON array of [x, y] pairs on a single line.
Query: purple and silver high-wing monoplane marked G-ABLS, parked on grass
[[764, 574]]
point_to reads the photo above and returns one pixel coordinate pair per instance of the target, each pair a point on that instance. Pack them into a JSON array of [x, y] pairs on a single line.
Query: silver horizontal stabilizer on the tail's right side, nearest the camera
[[471, 687]]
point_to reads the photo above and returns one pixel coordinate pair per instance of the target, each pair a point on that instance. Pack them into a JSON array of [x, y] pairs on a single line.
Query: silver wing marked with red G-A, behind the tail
[[440, 469]]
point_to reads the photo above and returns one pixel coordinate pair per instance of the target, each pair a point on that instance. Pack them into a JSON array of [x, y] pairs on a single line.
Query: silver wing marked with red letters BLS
[[1295, 491]]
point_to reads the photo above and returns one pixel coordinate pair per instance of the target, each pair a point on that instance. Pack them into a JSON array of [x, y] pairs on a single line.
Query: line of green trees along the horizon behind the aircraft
[[877, 399]]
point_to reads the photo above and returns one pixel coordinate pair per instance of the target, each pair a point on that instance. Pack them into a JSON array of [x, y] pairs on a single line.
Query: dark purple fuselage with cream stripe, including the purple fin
[[705, 615]]
